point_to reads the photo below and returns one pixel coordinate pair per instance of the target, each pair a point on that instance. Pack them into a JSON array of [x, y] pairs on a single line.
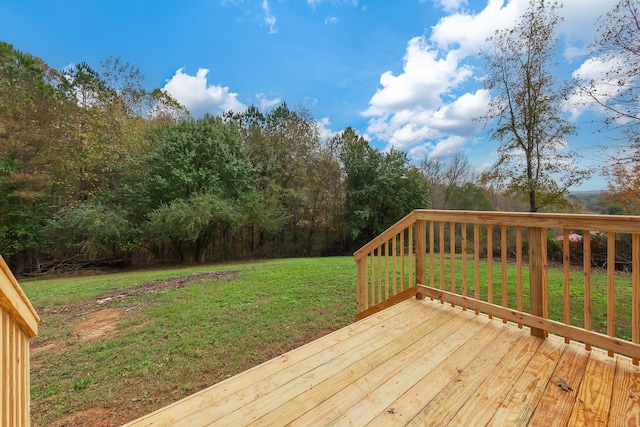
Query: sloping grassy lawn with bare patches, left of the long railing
[[169, 343]]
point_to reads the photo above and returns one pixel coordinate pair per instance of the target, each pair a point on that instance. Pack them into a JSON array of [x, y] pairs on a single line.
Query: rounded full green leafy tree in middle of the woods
[[190, 189]]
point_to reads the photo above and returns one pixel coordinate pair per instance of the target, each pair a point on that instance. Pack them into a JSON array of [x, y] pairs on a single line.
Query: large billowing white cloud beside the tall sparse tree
[[429, 107]]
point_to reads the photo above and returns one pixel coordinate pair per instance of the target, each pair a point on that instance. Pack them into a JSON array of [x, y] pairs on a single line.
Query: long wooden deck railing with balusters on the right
[[497, 263]]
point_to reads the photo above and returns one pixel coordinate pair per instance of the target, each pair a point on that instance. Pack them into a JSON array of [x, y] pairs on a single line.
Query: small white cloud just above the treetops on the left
[[194, 93]]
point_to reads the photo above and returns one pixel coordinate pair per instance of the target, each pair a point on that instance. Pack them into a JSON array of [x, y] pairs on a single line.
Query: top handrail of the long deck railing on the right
[[591, 222]]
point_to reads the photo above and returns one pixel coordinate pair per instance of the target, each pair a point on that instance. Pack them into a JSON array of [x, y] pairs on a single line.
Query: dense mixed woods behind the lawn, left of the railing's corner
[[95, 170]]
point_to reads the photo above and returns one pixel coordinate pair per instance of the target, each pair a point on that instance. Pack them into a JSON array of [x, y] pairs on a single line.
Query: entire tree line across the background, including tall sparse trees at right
[[97, 170]]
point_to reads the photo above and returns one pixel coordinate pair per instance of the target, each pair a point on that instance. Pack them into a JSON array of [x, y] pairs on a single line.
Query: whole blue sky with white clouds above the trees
[[403, 73]]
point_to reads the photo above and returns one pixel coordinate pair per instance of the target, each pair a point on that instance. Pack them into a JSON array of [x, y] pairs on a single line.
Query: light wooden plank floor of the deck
[[422, 363]]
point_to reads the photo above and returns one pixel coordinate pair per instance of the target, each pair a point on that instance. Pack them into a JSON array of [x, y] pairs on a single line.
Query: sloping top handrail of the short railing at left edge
[[15, 301]]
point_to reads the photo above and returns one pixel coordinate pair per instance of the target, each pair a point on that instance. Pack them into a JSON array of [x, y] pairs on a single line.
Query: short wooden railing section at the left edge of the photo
[[18, 324]]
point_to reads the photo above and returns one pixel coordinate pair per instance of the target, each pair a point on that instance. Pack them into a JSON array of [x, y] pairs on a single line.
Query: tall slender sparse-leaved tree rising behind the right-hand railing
[[533, 160]]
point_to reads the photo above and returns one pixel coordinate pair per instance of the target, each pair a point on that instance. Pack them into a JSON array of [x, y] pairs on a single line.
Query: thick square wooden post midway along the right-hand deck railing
[[537, 280]]
